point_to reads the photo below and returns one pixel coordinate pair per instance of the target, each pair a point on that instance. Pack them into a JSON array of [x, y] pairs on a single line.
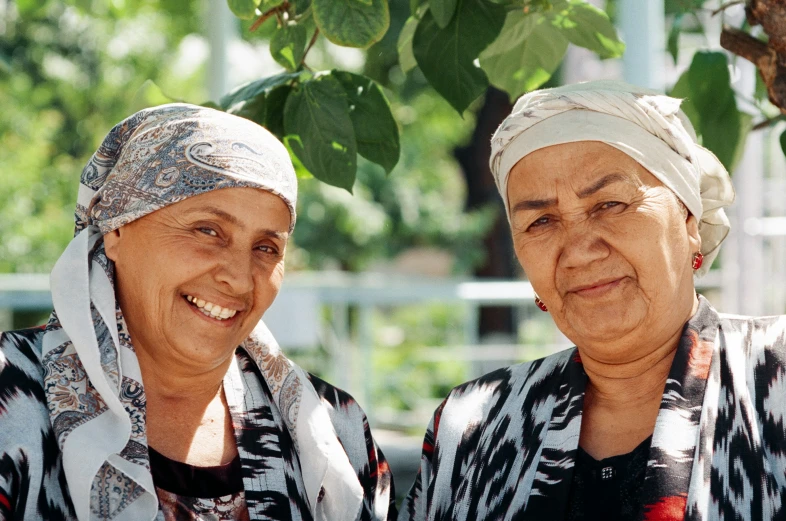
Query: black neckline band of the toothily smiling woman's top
[[198, 482]]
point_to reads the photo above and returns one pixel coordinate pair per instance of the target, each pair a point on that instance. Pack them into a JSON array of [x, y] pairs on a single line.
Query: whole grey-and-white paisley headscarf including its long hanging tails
[[92, 380]]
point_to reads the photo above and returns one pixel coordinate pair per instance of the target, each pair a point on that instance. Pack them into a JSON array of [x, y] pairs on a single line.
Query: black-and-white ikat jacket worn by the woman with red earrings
[[503, 447]]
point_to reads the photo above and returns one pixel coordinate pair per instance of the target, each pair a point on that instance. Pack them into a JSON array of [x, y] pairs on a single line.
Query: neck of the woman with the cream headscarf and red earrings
[[632, 384]]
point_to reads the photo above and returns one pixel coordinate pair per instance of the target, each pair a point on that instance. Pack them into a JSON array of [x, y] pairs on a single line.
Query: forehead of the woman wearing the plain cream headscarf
[[575, 165]]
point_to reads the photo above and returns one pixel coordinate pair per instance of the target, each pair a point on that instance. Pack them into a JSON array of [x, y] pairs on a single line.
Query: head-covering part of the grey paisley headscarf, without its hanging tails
[[163, 155]]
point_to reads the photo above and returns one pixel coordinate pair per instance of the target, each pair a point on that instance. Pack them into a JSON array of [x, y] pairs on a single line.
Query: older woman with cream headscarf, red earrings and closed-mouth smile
[[665, 409]]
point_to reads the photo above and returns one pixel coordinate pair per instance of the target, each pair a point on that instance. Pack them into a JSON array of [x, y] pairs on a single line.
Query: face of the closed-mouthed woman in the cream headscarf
[[605, 245]]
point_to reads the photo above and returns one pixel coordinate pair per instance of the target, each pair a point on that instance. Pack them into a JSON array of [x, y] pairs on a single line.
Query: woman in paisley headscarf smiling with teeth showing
[[155, 391]]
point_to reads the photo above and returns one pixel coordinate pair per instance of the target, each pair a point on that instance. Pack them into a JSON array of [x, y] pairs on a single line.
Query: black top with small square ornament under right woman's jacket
[[609, 489]]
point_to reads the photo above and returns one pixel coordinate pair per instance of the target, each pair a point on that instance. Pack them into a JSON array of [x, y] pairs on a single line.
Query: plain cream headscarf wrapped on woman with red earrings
[[648, 126]]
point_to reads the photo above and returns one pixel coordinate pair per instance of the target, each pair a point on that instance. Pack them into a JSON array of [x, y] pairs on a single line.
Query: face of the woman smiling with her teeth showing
[[194, 278]]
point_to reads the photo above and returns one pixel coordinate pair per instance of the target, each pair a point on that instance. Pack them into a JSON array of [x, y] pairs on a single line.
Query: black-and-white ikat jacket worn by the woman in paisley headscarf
[[33, 485]]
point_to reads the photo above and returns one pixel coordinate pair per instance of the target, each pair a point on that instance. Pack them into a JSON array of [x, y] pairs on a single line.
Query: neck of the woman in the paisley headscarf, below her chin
[[174, 383]]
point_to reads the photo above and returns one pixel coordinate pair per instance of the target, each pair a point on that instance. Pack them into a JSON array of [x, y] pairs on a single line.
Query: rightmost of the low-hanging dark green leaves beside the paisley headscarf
[[376, 131]]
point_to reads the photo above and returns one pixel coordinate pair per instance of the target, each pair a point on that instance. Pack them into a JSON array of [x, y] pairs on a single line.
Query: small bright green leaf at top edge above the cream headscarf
[[585, 25]]
